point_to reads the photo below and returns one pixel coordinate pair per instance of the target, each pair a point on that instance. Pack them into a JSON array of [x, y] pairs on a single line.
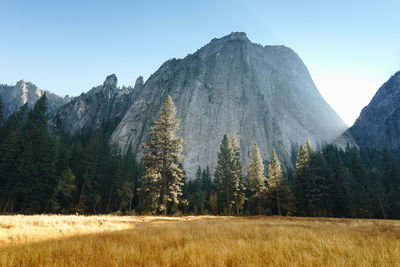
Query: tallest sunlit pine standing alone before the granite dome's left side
[[163, 158]]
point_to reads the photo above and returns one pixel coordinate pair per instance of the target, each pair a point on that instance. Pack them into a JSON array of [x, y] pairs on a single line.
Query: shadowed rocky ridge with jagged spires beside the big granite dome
[[104, 104]]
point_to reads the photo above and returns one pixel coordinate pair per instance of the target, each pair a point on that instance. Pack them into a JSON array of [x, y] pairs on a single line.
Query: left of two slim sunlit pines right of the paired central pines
[[256, 177]]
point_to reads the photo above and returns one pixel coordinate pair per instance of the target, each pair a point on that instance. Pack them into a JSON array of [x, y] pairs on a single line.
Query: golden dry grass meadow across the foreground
[[197, 241]]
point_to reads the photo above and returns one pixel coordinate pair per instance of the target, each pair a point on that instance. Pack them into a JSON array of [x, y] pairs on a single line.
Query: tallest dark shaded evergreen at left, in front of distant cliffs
[[37, 178]]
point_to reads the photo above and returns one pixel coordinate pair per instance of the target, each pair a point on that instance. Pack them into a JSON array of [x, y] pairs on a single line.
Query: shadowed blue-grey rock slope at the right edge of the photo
[[379, 123]]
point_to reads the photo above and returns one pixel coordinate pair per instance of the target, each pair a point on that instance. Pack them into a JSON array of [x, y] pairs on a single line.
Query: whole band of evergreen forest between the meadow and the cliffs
[[85, 174]]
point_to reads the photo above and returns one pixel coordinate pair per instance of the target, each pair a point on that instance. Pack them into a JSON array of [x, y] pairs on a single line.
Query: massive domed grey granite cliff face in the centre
[[264, 94]]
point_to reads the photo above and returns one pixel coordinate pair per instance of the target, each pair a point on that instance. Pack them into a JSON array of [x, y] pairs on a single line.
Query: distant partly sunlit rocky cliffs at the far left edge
[[25, 92]]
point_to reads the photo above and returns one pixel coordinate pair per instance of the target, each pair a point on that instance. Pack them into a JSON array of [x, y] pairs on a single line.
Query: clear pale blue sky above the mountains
[[349, 47]]
